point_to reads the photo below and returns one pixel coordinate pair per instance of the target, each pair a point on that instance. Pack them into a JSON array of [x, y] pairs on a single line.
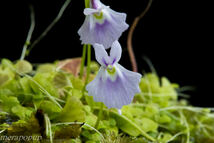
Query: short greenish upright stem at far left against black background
[[30, 32]]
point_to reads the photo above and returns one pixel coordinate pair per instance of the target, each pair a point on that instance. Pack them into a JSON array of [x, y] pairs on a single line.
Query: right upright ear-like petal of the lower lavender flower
[[115, 53]]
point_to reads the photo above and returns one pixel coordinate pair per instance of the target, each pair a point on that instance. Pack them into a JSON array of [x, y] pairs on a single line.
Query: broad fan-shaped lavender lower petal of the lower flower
[[117, 93]]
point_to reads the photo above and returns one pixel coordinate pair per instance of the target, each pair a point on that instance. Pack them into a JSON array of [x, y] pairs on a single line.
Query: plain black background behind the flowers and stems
[[175, 35]]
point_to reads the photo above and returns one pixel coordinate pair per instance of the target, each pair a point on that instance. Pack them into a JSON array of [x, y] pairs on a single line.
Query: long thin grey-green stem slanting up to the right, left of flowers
[[53, 23]]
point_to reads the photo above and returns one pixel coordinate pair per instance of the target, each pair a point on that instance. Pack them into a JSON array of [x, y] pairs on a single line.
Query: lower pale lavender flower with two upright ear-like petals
[[114, 85]]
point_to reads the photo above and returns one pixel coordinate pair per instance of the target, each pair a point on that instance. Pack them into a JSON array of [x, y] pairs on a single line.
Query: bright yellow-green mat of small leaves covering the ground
[[52, 103]]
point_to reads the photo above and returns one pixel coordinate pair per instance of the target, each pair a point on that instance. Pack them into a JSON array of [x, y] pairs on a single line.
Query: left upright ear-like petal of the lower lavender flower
[[101, 54]]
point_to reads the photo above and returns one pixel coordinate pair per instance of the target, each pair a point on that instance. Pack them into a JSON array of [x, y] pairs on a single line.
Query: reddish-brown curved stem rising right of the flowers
[[130, 35]]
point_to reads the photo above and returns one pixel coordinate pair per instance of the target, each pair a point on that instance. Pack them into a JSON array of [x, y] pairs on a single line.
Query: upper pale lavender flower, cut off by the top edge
[[102, 25]]
